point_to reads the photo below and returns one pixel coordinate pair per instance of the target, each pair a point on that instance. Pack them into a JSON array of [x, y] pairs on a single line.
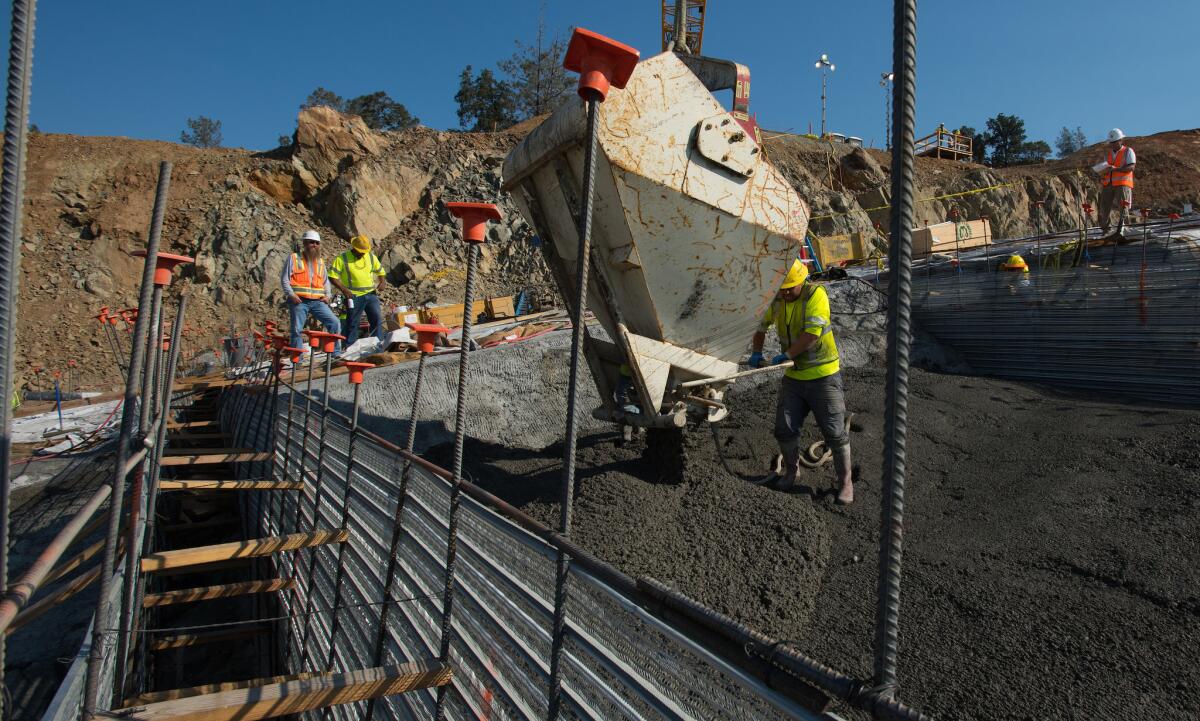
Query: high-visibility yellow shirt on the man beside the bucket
[[806, 315]]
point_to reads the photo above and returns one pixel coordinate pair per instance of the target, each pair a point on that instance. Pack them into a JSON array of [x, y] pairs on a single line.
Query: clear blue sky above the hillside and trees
[[141, 68]]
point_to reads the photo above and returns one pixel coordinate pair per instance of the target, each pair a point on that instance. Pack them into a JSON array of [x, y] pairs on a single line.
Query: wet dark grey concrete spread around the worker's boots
[[1051, 560]]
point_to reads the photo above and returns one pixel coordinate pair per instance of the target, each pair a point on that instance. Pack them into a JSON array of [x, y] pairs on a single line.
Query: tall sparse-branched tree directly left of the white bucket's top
[[536, 75]]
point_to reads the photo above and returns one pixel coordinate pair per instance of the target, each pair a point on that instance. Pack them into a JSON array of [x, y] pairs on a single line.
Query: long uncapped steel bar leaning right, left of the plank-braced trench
[[99, 638]]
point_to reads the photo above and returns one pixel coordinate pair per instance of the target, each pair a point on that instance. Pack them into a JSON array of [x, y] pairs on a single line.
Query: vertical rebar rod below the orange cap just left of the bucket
[[460, 432]]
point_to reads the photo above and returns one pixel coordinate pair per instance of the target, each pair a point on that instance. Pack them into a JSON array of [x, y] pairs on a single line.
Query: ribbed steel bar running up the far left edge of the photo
[[13, 197]]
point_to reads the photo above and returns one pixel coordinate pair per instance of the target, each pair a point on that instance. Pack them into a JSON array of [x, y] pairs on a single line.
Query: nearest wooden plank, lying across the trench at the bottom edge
[[272, 701]]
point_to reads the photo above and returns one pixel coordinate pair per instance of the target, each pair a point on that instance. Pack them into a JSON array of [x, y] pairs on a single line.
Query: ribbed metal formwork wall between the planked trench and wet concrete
[[621, 662]]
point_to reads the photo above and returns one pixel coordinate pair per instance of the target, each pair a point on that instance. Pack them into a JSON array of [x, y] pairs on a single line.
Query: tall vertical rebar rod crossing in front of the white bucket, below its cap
[[567, 502]]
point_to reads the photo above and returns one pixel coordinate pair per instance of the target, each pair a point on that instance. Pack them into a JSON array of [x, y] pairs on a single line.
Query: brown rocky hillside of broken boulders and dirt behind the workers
[[241, 214]]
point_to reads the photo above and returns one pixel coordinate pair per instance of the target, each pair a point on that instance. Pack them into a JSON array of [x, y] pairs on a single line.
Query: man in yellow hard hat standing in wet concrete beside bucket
[[801, 316]]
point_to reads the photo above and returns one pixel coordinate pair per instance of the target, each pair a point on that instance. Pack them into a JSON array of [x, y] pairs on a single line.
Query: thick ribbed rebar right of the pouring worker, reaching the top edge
[[904, 55]]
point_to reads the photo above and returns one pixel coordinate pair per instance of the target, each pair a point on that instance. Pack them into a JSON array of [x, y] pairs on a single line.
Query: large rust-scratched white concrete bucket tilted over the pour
[[693, 229]]
